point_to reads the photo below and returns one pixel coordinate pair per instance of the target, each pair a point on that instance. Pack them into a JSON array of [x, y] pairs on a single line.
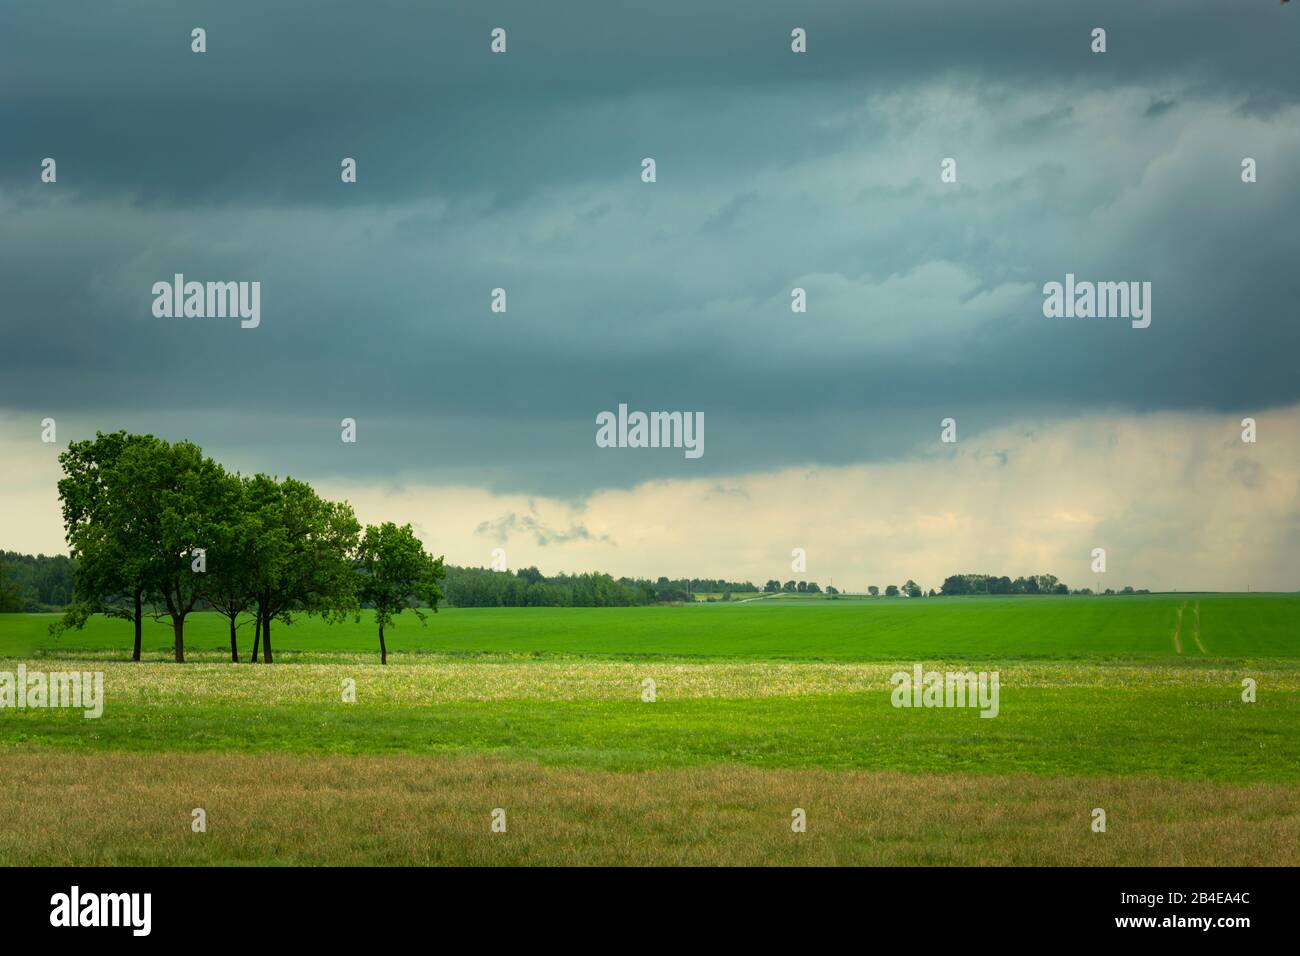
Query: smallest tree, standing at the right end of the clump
[[395, 572]]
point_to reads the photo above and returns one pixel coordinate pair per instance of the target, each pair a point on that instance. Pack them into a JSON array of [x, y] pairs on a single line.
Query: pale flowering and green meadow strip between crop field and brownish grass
[[1061, 719]]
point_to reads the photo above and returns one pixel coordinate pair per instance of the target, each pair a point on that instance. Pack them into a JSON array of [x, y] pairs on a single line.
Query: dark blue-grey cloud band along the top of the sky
[[411, 90]]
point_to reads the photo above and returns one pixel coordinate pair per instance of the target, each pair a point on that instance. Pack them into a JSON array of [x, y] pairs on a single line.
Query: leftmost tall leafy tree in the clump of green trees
[[106, 527]]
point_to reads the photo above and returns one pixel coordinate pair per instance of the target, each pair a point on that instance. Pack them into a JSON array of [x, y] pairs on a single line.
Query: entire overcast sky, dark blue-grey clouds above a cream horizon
[[775, 171]]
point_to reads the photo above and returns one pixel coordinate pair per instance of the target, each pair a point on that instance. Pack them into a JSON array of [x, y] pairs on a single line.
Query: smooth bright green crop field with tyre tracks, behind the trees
[[1128, 629]]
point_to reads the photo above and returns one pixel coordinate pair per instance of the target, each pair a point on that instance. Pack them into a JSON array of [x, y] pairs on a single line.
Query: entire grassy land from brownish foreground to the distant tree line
[[1132, 704]]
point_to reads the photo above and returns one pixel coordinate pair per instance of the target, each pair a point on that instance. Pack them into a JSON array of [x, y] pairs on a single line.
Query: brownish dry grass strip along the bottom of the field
[[137, 810]]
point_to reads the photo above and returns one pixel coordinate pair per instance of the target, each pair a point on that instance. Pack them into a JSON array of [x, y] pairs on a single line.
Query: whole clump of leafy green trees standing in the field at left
[[161, 529]]
